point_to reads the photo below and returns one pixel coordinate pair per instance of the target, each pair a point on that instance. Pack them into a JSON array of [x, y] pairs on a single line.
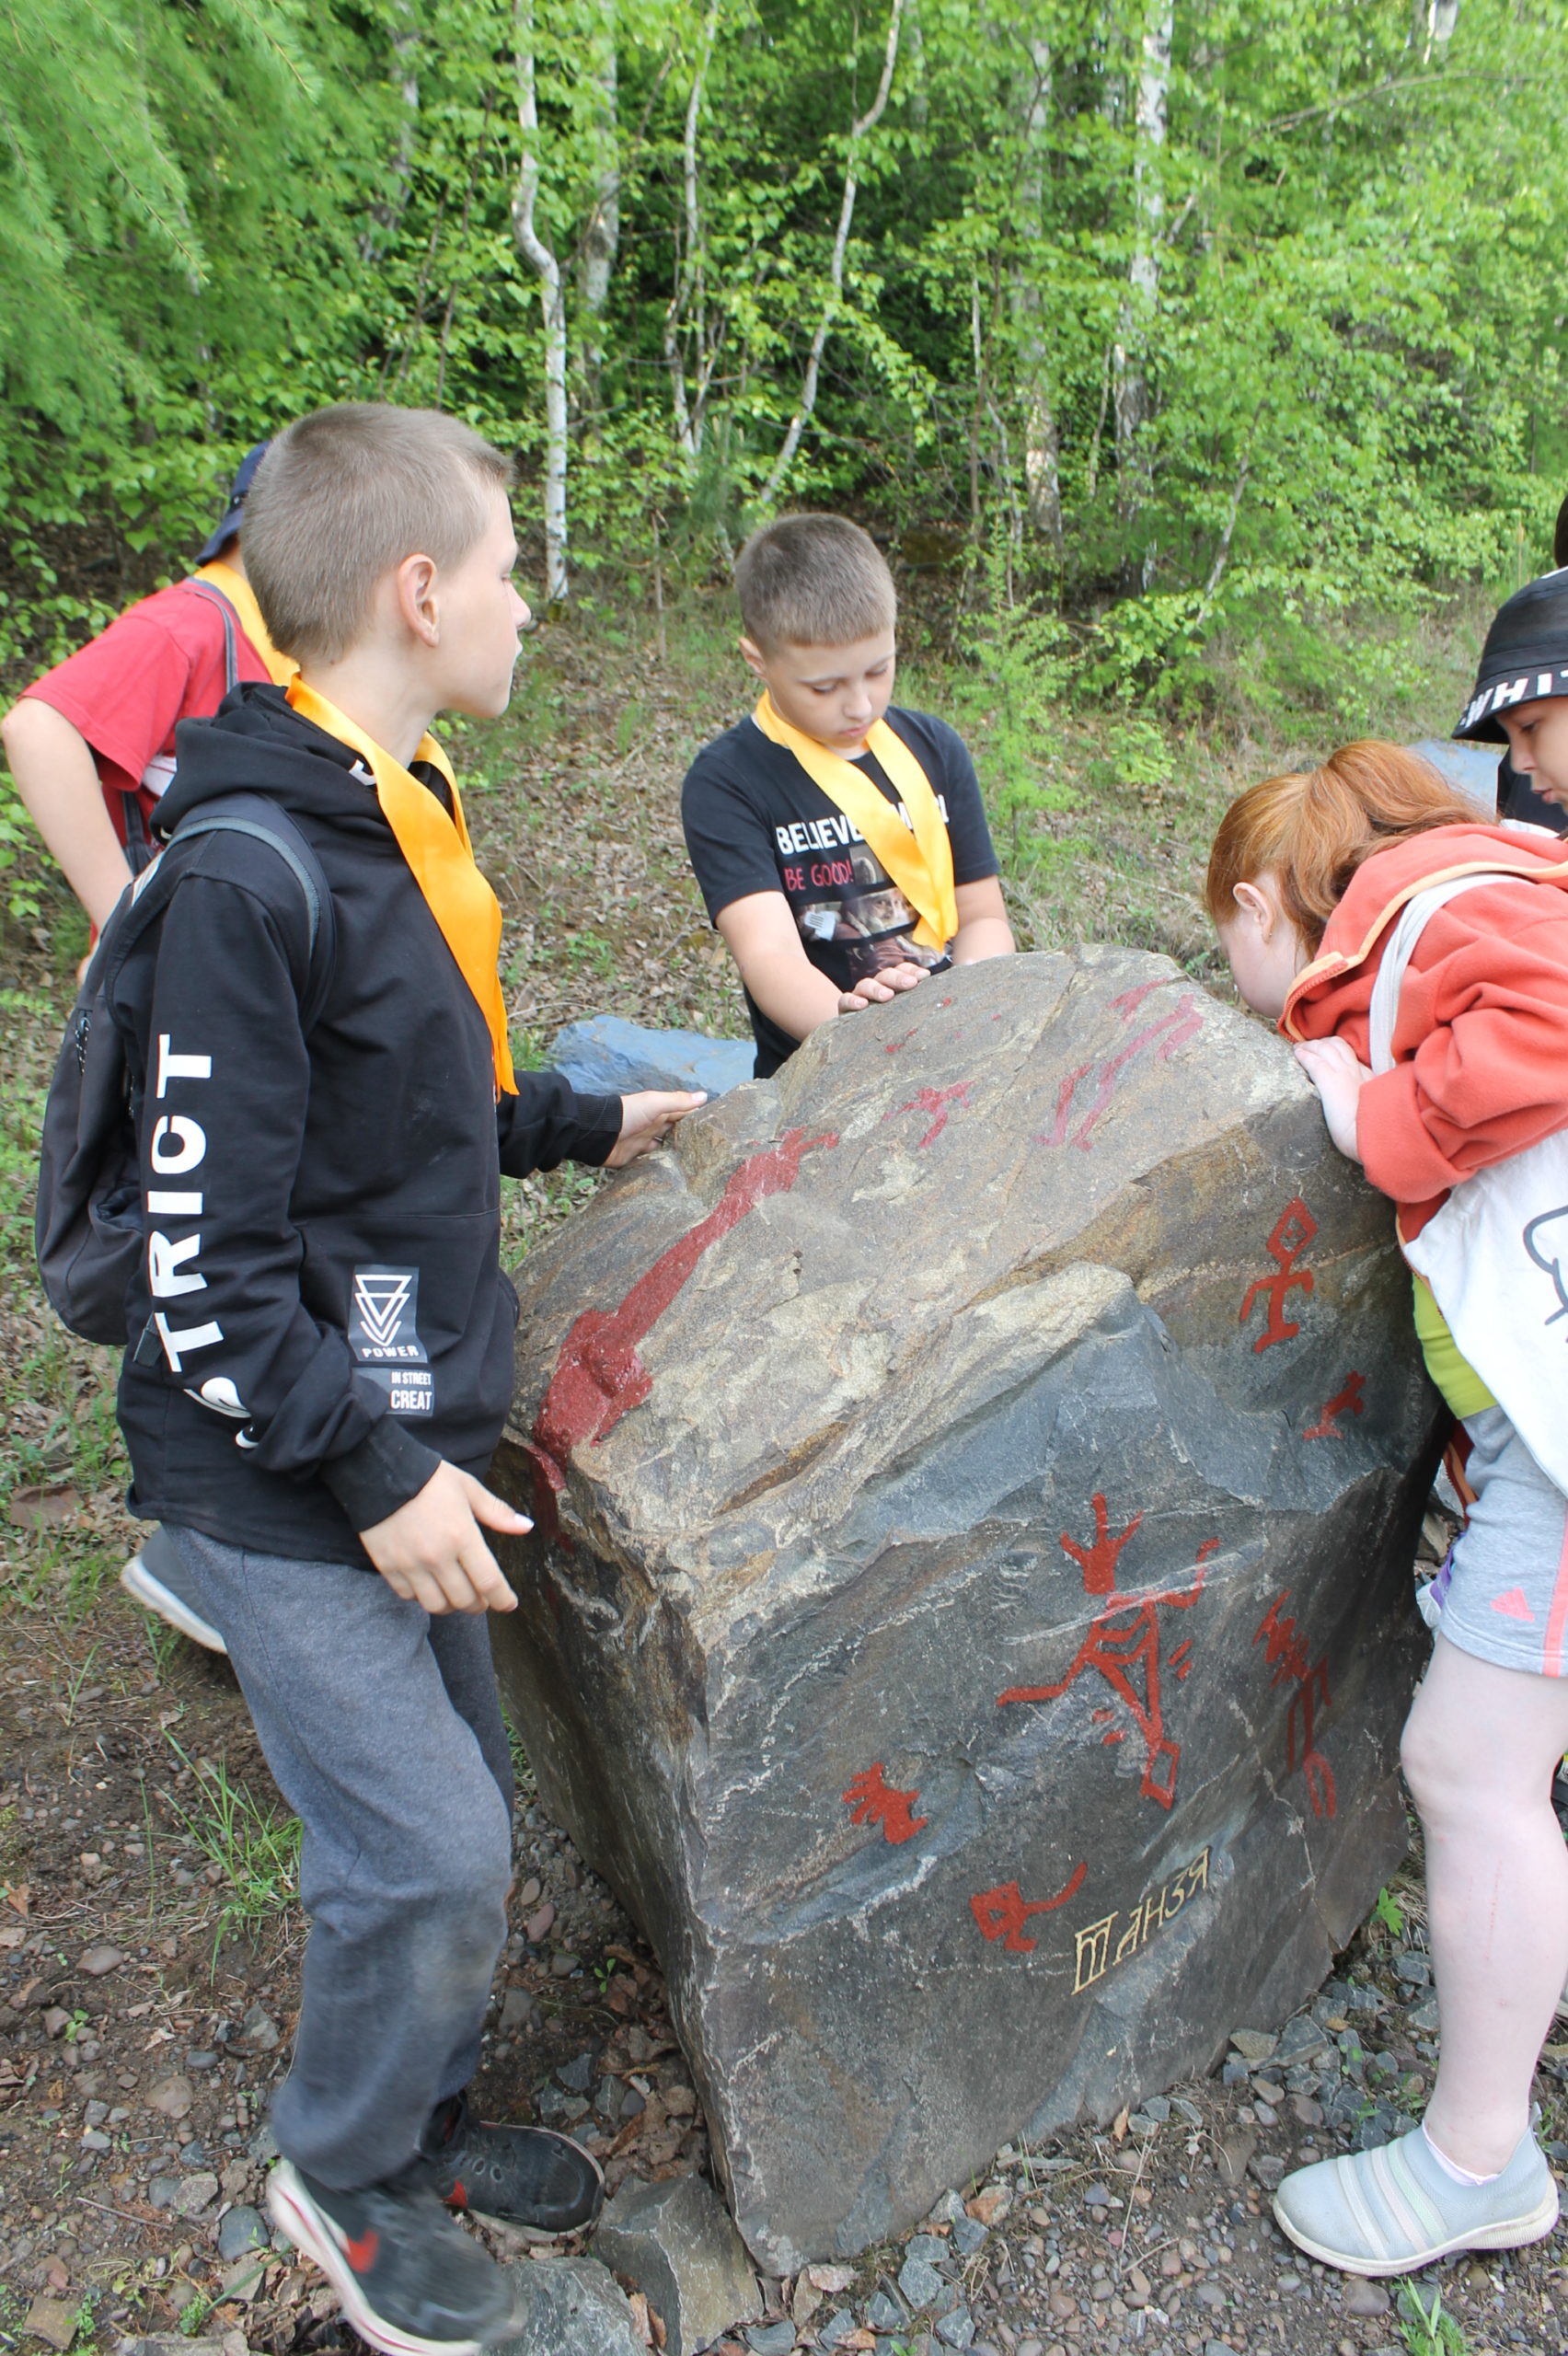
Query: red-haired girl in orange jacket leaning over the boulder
[[1418, 958]]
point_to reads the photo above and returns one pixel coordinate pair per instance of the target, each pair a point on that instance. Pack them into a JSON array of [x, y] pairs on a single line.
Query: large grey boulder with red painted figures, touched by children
[[969, 1617]]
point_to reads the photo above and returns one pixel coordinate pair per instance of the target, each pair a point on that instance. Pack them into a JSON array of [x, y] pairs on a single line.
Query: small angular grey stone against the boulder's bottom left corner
[[675, 2242]]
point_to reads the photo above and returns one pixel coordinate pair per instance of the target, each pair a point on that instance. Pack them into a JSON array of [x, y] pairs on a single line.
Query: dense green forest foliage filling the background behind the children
[[1188, 397]]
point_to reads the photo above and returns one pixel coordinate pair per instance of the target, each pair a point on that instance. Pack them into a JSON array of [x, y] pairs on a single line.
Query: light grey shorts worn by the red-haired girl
[[1503, 1594]]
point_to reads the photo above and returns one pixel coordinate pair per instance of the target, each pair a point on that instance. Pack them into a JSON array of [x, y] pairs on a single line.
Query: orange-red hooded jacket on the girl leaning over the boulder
[[1482, 1033]]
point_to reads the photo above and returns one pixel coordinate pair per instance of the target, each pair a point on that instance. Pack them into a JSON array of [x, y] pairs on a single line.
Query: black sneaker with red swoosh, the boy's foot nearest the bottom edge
[[408, 2275]]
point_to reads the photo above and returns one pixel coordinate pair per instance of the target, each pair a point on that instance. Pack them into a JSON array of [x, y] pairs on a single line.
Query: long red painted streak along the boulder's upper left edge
[[599, 1375]]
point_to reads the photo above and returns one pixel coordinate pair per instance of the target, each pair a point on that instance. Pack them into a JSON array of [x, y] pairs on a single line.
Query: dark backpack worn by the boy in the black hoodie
[[88, 1229]]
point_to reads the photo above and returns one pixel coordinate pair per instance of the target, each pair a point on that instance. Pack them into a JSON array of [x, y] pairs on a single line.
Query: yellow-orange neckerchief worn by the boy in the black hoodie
[[441, 861]]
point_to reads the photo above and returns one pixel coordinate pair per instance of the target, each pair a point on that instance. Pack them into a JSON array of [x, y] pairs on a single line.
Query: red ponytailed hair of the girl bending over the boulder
[[1313, 830]]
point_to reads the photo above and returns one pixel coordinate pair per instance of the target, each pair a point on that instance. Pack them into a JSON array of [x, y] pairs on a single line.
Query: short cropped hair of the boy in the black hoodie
[[343, 498]]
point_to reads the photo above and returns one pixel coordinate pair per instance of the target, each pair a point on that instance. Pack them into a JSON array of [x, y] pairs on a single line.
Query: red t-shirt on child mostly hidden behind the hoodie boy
[[159, 666]]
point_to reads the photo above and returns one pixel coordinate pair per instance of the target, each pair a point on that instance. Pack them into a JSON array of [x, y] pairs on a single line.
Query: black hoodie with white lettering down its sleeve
[[321, 1311]]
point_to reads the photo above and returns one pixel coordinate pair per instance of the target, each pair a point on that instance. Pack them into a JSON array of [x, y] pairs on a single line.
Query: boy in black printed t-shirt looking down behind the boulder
[[839, 842]]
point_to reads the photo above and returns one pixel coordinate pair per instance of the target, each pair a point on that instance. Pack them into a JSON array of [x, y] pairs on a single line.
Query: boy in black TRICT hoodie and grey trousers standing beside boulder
[[324, 1332]]
